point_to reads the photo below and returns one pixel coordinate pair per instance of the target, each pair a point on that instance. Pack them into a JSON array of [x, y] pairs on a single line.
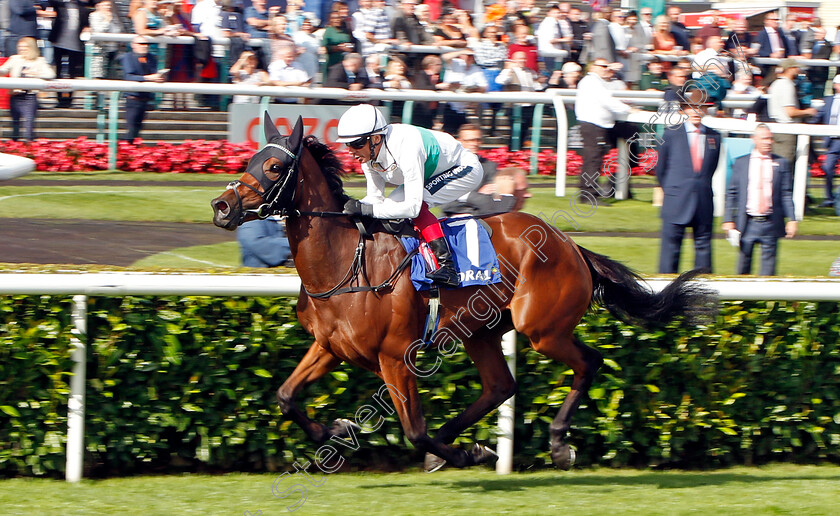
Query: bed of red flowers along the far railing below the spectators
[[222, 157]]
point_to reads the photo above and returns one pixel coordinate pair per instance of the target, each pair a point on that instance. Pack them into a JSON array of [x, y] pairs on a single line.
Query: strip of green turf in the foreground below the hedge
[[776, 489]]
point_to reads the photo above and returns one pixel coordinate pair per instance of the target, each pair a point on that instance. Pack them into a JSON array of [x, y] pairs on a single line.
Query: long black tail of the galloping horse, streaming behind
[[622, 291]]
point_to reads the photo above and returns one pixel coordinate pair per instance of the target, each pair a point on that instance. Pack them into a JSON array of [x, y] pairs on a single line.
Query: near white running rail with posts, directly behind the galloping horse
[[82, 285]]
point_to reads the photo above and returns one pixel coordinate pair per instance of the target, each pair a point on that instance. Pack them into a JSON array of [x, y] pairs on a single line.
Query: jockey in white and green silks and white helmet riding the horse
[[429, 168]]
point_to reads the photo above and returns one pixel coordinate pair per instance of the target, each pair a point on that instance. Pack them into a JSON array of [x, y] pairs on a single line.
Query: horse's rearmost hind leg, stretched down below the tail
[[585, 362]]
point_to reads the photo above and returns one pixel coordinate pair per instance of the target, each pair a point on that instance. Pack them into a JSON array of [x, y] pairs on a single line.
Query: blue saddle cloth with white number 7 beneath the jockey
[[474, 254]]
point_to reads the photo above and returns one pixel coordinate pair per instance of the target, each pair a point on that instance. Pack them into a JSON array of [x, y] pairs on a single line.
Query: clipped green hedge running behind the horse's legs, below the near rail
[[189, 383]]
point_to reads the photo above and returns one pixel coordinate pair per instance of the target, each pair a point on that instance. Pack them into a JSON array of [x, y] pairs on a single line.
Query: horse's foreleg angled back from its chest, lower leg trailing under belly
[[402, 385]]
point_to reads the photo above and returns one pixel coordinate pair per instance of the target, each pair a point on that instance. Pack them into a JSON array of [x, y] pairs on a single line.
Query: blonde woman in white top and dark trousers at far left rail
[[27, 63]]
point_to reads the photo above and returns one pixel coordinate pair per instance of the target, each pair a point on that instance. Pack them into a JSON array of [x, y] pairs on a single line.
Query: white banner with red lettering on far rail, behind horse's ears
[[320, 121]]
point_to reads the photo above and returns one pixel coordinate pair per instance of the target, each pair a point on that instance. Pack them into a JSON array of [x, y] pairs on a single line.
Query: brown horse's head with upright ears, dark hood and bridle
[[268, 185]]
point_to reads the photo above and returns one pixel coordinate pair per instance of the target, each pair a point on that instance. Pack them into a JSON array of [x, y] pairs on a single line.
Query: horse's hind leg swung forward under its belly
[[496, 381]]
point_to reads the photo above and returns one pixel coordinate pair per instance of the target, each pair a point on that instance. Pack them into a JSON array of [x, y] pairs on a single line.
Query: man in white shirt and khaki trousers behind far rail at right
[[783, 108]]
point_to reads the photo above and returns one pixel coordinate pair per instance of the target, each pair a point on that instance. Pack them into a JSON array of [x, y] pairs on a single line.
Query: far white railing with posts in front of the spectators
[[558, 98]]
